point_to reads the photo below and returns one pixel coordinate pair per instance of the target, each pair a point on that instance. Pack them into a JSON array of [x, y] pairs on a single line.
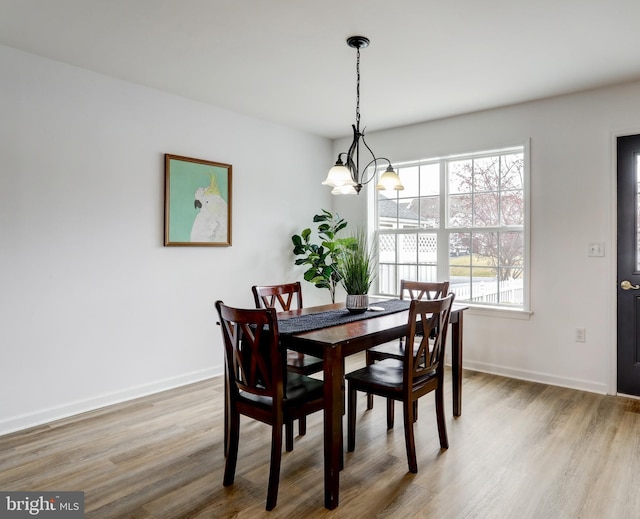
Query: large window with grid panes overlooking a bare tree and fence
[[461, 218]]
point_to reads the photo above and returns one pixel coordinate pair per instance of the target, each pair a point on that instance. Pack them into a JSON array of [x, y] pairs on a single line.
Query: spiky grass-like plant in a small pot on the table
[[357, 270]]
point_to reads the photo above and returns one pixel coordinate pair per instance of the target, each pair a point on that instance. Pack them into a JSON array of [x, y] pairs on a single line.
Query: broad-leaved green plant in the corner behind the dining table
[[322, 259]]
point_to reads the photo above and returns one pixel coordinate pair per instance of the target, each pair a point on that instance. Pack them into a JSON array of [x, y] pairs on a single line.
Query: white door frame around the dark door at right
[[612, 317]]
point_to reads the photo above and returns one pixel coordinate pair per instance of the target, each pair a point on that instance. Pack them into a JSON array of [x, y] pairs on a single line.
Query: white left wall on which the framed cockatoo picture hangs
[[93, 308]]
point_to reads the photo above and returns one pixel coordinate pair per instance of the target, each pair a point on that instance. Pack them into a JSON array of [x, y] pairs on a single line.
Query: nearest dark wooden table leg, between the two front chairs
[[333, 402]]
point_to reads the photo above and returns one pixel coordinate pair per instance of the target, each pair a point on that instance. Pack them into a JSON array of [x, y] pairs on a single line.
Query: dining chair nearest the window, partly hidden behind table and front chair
[[414, 290]]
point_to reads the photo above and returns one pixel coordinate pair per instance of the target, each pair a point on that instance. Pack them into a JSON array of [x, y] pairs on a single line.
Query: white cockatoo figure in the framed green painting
[[210, 224]]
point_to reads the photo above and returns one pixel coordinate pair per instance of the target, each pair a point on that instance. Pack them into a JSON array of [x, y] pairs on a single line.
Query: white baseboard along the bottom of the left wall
[[43, 416]]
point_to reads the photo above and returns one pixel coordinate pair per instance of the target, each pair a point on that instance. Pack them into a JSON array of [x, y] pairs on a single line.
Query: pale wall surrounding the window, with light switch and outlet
[[572, 204]]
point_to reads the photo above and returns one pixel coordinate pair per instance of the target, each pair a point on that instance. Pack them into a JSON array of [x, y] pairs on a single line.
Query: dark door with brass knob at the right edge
[[628, 274]]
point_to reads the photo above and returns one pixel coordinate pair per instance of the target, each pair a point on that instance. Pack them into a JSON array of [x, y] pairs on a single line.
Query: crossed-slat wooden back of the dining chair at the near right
[[428, 357]]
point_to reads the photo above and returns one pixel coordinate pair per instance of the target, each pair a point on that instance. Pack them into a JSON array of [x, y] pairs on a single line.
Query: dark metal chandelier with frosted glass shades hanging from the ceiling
[[345, 177]]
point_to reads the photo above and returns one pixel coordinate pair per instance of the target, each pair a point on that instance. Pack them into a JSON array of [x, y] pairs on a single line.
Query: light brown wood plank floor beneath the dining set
[[519, 450]]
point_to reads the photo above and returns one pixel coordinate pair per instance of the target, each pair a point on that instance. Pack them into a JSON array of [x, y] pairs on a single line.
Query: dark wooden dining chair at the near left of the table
[[260, 387]]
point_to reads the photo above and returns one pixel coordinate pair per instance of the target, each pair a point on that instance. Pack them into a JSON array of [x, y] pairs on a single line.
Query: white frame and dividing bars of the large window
[[443, 230]]
